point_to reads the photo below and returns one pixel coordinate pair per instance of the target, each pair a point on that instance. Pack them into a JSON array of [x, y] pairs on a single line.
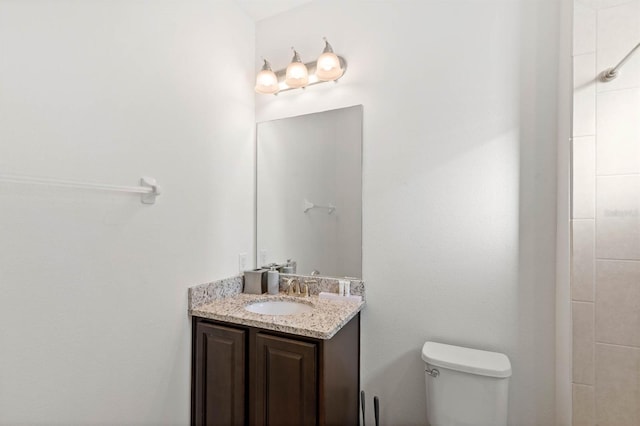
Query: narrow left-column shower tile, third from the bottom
[[582, 260]]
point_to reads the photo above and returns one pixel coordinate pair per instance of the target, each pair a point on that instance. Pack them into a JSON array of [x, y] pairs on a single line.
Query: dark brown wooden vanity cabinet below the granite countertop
[[251, 376]]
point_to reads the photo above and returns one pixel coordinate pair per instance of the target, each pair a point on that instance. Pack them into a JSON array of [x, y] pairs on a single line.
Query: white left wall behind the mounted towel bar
[[93, 286]]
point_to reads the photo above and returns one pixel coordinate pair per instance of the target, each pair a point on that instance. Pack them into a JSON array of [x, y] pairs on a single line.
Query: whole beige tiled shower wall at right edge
[[605, 284]]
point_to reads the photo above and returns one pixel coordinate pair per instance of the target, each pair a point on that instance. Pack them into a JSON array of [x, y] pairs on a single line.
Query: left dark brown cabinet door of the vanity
[[219, 375]]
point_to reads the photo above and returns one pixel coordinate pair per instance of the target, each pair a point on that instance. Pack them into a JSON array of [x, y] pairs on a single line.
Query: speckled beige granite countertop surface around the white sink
[[323, 322]]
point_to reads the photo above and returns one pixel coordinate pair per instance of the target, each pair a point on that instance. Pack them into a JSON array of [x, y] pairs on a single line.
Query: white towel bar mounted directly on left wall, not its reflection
[[148, 188]]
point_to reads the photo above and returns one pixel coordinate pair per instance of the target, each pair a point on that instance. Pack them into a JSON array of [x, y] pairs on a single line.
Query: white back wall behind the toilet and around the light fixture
[[459, 181]]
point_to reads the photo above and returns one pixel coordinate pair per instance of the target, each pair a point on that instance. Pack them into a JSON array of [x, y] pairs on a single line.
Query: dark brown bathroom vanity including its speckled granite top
[[250, 368]]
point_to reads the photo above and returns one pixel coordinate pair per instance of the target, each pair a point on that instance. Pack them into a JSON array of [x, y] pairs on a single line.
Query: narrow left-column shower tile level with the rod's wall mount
[[584, 95]]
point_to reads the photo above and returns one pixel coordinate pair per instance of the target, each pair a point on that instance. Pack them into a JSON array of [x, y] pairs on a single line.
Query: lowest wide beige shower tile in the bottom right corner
[[617, 385]]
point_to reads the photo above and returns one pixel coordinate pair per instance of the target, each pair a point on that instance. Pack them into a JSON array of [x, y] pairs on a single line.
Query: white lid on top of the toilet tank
[[474, 361]]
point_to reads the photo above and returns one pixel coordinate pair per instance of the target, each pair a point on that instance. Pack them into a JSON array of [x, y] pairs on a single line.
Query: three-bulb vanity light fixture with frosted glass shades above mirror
[[328, 67]]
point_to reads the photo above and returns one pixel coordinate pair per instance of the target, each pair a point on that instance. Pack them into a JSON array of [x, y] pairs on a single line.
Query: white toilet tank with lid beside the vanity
[[465, 387]]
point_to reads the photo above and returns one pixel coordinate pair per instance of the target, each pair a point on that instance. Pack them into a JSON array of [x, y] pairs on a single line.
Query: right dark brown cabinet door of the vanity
[[286, 382]]
